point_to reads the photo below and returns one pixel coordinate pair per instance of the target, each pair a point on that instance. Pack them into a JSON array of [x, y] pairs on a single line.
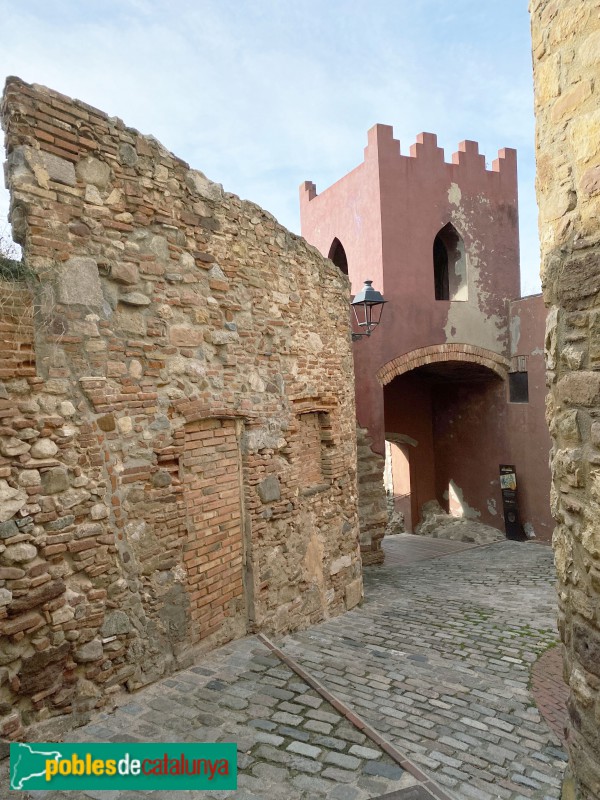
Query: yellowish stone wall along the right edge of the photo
[[566, 43]]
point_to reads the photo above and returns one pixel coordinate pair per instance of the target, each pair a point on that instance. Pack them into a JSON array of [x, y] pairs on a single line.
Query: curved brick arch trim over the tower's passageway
[[436, 353]]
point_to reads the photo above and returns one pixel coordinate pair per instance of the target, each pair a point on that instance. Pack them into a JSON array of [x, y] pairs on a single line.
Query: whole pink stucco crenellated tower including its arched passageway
[[436, 380]]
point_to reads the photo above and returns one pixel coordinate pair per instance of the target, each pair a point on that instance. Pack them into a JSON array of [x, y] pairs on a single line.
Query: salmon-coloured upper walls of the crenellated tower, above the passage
[[386, 213]]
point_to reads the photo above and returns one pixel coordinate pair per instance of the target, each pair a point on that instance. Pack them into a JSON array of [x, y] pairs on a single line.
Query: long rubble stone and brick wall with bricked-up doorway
[[180, 467]]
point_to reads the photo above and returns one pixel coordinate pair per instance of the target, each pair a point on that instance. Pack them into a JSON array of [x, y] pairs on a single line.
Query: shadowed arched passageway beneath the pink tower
[[452, 408]]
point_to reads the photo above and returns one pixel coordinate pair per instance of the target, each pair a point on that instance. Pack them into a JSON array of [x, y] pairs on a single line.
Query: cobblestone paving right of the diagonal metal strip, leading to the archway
[[438, 659]]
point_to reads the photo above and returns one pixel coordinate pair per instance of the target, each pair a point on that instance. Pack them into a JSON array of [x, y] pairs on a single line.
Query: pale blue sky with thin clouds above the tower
[[261, 95]]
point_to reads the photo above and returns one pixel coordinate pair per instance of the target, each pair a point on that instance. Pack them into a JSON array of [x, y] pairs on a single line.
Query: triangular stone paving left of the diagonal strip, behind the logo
[[292, 745]]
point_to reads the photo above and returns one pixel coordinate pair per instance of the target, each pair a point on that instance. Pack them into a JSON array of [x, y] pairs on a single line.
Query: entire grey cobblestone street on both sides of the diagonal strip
[[437, 661]]
